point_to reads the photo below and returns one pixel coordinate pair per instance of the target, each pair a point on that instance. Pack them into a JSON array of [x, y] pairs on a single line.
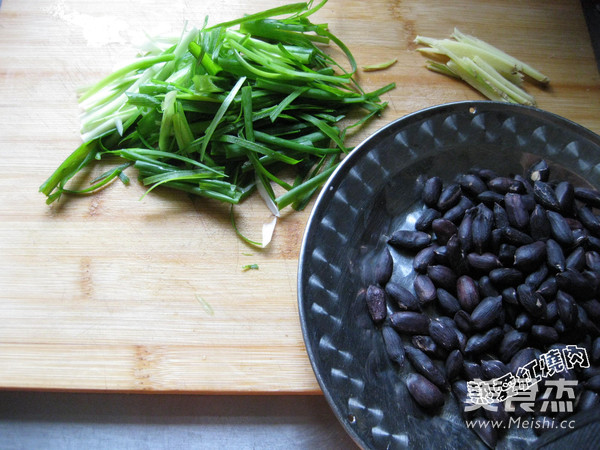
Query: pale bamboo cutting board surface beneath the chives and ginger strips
[[111, 293]]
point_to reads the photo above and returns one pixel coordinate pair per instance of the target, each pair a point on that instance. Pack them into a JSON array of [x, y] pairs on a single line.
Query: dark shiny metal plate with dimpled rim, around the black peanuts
[[373, 192]]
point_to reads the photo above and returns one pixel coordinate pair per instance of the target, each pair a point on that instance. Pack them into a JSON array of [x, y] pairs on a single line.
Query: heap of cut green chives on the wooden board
[[223, 111]]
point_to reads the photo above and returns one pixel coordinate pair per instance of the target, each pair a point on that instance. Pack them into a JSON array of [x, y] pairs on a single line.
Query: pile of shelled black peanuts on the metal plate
[[507, 267]]
